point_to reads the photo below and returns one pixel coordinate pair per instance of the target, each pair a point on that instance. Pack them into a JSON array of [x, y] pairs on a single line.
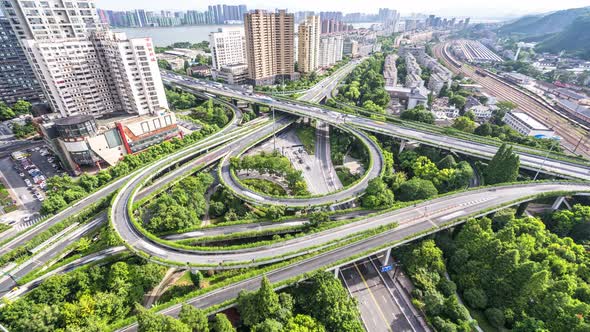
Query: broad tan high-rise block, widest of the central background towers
[[269, 46]]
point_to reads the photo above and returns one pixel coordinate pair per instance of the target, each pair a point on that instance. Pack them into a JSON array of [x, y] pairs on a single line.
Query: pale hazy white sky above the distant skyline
[[475, 8]]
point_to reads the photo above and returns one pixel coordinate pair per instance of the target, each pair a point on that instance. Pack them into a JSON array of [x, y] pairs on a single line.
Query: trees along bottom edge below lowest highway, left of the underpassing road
[[319, 304]]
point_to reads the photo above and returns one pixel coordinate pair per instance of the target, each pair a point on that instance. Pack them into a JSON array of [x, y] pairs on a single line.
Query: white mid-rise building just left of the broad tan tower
[[228, 47]]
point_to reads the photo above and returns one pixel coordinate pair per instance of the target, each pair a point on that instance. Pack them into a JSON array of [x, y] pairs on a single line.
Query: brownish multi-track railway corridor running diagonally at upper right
[[573, 135]]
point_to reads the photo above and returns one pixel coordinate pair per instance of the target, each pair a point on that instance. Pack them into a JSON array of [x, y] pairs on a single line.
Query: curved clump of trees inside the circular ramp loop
[[273, 164]]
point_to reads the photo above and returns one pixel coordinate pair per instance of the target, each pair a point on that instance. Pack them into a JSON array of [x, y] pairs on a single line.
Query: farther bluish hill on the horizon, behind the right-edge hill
[[544, 24]]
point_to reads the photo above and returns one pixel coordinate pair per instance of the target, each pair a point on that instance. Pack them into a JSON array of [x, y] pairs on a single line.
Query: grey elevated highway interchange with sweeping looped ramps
[[412, 221]]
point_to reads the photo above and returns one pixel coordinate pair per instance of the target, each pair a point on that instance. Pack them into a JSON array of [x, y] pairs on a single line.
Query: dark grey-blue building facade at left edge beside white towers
[[17, 80]]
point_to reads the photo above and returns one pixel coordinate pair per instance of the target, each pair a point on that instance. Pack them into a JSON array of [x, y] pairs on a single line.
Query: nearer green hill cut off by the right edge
[[574, 39]]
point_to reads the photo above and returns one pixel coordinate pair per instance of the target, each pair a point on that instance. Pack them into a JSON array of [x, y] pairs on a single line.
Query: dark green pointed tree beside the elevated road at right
[[503, 167]]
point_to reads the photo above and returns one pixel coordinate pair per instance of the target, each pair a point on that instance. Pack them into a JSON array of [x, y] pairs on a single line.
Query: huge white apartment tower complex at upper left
[[82, 66]]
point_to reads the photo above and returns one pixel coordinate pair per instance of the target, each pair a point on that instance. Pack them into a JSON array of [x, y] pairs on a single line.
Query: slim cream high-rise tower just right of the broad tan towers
[[308, 44]]
